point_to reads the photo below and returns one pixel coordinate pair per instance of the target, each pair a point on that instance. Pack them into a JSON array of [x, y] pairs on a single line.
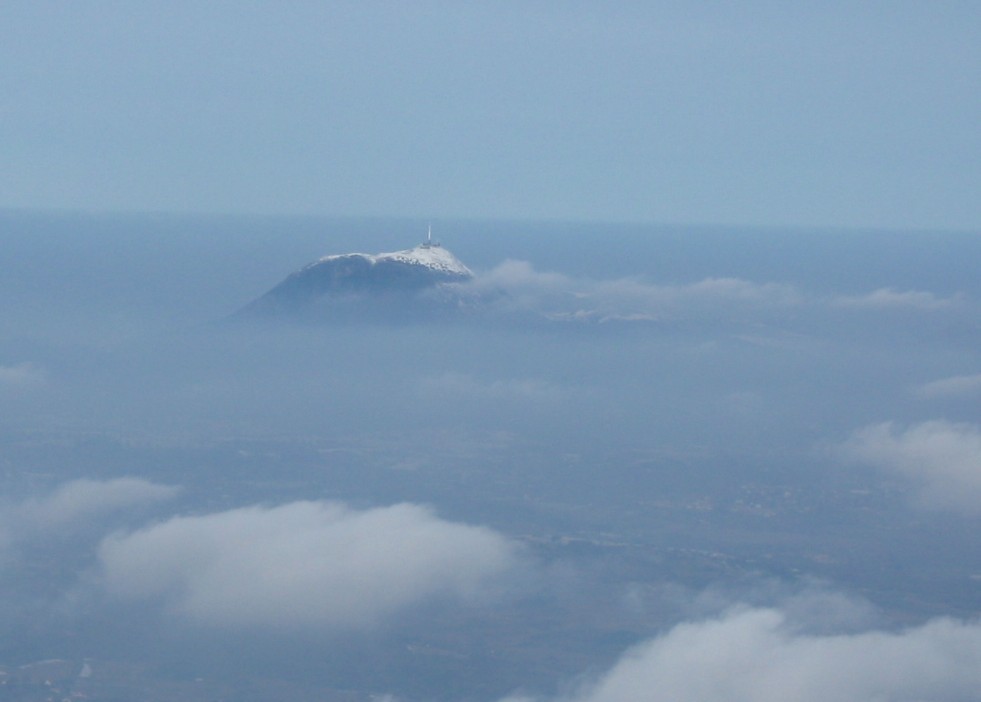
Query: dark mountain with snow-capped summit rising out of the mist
[[419, 283]]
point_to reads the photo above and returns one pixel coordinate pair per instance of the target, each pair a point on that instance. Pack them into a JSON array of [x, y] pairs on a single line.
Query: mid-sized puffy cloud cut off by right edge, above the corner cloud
[[943, 459]]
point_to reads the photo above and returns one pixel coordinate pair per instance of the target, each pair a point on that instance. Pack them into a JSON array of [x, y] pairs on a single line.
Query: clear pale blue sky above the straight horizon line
[[755, 113]]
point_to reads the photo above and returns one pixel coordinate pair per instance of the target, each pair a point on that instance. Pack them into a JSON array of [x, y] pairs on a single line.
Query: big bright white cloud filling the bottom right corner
[[760, 655]]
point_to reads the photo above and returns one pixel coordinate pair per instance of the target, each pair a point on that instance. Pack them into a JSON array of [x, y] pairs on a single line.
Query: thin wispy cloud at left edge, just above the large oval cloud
[[80, 500]]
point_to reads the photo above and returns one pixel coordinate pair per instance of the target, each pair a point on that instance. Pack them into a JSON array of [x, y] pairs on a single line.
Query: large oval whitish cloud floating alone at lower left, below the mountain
[[302, 564]]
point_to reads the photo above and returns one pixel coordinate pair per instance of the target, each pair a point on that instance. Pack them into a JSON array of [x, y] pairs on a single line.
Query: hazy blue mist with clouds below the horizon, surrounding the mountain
[[536, 500]]
